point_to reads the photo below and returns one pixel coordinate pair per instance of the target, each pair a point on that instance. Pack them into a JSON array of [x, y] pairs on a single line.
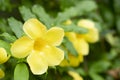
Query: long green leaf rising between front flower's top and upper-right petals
[[42, 15]]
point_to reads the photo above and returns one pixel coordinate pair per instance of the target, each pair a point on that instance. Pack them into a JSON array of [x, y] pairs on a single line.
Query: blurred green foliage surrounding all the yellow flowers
[[103, 61]]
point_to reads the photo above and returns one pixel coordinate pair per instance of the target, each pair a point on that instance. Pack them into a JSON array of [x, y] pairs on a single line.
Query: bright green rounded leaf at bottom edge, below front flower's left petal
[[21, 72]]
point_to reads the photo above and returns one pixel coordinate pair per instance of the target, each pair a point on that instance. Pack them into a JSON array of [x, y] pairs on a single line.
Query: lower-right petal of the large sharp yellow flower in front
[[53, 55]]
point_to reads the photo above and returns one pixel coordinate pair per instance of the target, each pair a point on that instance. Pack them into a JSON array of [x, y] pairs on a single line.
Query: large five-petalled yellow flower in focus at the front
[[39, 46]]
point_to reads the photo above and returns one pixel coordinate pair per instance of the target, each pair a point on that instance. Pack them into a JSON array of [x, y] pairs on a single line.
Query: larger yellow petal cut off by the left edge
[[3, 56]]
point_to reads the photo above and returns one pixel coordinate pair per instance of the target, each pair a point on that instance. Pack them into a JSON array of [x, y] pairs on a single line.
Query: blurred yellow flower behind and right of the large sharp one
[[80, 41]]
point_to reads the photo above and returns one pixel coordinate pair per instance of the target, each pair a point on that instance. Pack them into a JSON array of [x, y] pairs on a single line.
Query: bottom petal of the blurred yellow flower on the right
[[82, 47]]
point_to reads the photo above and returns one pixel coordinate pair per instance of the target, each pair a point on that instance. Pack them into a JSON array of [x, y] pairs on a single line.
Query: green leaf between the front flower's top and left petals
[[16, 26]]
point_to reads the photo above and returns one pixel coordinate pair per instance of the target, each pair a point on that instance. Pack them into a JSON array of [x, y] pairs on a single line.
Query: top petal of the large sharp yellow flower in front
[[34, 28]]
